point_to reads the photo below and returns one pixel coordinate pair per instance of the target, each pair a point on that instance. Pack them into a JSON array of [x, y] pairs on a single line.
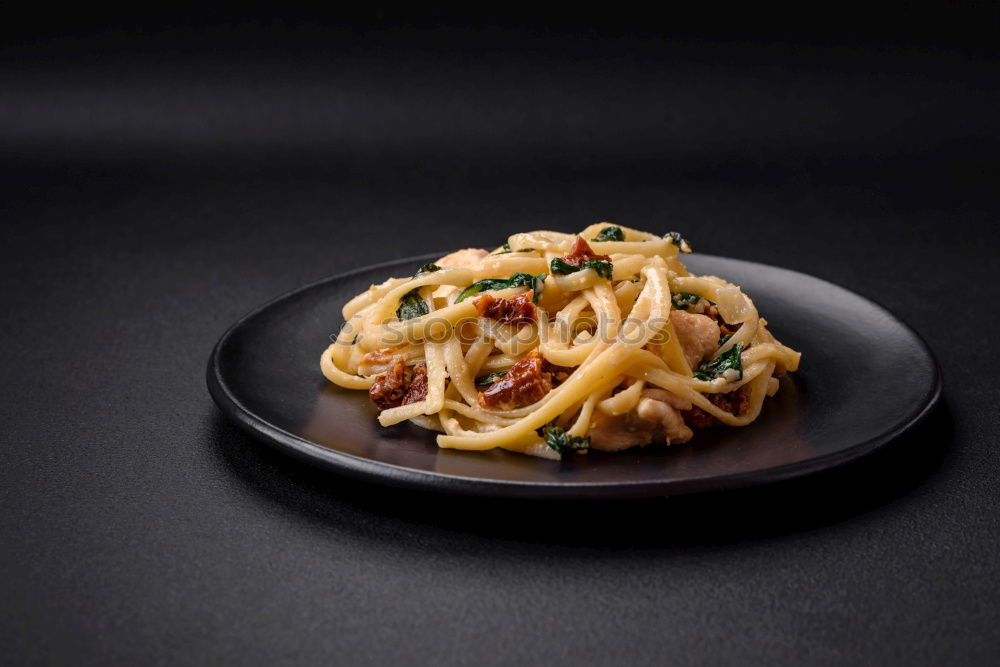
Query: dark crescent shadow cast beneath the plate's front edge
[[322, 498]]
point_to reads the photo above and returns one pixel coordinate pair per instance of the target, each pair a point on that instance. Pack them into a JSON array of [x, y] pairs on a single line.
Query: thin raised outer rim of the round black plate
[[402, 476]]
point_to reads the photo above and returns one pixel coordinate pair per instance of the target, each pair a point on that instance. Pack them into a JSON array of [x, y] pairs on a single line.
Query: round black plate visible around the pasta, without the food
[[865, 378]]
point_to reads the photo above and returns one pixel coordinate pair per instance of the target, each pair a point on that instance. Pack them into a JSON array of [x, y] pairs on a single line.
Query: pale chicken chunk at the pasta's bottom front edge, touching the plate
[[656, 417]]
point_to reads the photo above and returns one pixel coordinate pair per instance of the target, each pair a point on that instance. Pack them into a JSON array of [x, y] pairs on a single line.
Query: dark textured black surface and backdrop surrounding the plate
[[161, 175]]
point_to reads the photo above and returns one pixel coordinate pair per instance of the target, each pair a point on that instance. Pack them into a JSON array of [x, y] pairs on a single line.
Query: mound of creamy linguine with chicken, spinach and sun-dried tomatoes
[[555, 344]]
